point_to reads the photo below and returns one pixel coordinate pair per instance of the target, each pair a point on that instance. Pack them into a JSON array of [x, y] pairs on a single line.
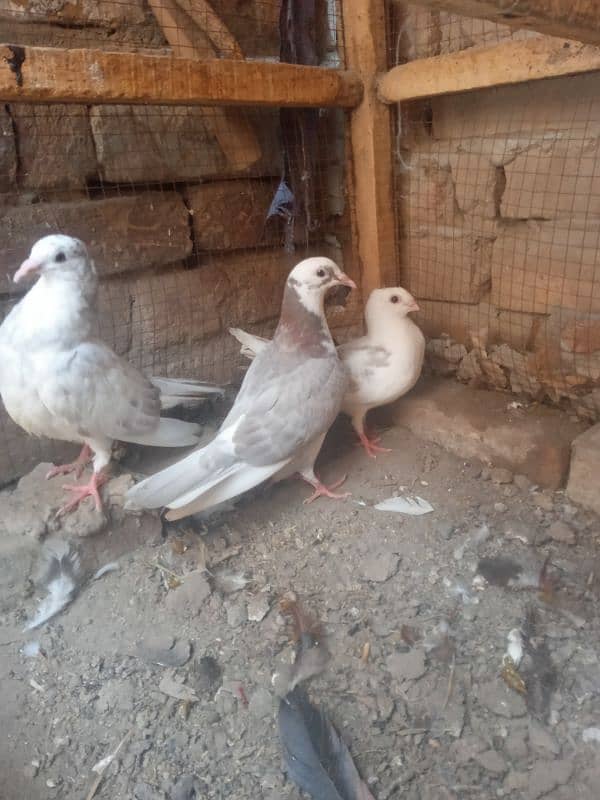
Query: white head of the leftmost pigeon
[[56, 254]]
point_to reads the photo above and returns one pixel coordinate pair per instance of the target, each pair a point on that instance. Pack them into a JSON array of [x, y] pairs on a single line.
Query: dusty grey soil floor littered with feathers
[[427, 715]]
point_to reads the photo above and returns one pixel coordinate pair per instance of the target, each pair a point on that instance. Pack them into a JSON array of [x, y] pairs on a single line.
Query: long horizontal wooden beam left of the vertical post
[[44, 74]]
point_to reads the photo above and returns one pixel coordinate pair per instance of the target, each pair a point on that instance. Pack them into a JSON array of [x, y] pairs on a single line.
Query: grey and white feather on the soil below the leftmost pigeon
[[60, 573]]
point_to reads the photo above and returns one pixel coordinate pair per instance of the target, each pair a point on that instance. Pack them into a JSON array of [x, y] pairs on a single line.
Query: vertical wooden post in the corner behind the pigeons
[[371, 143]]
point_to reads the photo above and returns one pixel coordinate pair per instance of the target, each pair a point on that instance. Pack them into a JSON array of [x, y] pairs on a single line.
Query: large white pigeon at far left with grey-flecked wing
[[58, 380]]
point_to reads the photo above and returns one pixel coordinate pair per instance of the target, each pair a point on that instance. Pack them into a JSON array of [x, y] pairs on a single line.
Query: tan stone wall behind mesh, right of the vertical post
[[499, 220]]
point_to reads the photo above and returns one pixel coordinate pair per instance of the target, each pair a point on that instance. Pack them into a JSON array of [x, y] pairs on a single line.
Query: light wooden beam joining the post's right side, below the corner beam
[[480, 68]]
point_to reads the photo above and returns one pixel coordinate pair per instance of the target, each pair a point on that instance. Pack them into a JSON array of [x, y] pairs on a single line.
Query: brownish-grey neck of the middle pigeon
[[302, 324]]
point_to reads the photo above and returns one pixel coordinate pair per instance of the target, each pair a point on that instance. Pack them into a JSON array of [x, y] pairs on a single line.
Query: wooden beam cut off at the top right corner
[[570, 19]]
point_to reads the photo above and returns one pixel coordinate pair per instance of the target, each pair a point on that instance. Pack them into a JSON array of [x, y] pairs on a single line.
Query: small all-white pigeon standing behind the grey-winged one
[[383, 365]]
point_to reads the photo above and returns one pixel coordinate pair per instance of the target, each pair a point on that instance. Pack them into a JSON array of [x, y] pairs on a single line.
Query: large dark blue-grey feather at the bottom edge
[[316, 759]]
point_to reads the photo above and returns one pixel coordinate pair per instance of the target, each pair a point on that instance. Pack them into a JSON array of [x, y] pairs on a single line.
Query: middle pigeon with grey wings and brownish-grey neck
[[289, 398]]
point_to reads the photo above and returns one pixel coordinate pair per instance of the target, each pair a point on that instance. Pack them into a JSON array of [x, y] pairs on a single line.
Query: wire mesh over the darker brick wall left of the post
[[193, 215]]
